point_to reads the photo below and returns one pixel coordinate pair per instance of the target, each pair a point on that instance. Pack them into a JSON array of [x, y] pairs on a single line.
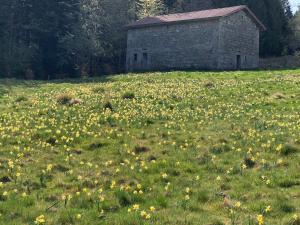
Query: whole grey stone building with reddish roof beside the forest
[[216, 39]]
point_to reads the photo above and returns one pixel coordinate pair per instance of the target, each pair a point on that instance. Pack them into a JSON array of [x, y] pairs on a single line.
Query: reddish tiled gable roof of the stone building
[[196, 15]]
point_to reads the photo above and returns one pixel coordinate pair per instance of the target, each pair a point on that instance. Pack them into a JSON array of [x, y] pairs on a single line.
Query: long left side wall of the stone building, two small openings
[[186, 45]]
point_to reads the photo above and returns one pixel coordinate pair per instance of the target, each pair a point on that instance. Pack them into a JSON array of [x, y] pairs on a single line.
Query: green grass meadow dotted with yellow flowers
[[177, 148]]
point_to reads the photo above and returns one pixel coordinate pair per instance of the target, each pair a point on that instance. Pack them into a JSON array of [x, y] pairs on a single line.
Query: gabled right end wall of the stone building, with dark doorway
[[239, 36]]
